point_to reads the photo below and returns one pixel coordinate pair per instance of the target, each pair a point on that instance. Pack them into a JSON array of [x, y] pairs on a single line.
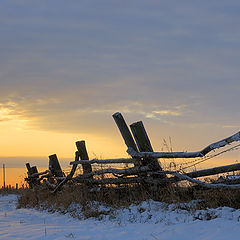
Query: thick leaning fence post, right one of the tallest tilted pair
[[144, 144]]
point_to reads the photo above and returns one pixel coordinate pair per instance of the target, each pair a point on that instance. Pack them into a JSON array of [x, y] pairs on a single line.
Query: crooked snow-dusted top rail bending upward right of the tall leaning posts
[[202, 153]]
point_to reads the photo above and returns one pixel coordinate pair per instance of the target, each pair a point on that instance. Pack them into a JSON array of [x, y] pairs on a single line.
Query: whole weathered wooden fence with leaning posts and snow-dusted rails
[[145, 169]]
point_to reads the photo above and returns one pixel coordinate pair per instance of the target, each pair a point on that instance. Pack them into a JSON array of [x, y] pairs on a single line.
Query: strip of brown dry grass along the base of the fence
[[118, 197]]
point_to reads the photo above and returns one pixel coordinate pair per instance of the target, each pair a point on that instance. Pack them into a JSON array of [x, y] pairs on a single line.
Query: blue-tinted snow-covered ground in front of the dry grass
[[148, 221]]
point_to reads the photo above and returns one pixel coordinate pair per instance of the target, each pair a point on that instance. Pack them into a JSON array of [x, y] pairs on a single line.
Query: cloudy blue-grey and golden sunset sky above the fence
[[67, 66]]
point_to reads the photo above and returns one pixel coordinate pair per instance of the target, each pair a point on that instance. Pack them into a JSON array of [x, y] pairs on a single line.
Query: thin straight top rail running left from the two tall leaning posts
[[106, 161]]
